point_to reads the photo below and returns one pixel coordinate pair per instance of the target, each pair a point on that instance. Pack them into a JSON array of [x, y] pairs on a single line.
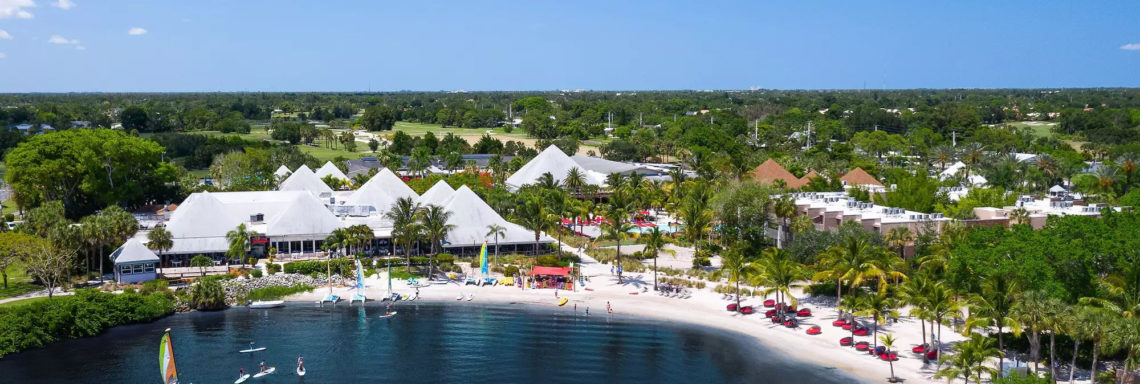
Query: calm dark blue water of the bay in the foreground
[[425, 344]]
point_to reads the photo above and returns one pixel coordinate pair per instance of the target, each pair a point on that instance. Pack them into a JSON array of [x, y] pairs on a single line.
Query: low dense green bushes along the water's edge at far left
[[88, 313]]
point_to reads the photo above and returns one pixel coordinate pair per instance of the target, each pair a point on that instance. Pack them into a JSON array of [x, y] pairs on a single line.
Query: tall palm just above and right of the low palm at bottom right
[[995, 307]]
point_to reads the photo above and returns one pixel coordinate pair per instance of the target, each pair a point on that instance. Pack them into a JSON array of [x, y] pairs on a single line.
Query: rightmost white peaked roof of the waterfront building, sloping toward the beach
[[471, 216]]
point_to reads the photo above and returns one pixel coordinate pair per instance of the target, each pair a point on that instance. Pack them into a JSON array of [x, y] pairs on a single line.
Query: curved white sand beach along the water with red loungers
[[704, 308]]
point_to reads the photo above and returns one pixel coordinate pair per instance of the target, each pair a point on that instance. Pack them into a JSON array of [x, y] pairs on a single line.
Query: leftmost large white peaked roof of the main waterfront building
[[200, 225]]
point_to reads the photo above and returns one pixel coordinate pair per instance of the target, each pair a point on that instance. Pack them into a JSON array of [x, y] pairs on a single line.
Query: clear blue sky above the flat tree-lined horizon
[[351, 46]]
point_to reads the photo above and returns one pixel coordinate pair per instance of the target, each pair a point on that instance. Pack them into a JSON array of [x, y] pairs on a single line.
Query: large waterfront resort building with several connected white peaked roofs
[[297, 219]]
